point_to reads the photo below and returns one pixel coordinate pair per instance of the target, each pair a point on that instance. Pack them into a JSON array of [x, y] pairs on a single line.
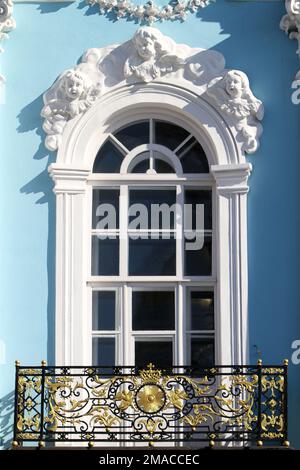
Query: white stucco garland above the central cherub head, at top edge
[[149, 12]]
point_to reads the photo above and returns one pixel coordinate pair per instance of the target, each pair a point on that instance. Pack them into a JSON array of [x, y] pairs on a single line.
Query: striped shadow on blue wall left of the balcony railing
[[6, 420]]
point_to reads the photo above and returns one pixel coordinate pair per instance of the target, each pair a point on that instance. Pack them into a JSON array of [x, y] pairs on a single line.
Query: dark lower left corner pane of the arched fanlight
[[108, 159]]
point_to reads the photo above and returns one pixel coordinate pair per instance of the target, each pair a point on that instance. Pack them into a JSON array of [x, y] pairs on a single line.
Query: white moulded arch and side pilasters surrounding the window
[[81, 140]]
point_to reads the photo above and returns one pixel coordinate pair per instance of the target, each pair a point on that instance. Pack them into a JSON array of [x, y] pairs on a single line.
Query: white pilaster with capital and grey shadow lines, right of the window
[[231, 256]]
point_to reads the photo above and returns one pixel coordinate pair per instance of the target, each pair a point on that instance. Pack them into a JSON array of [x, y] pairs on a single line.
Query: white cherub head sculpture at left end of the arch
[[72, 94]]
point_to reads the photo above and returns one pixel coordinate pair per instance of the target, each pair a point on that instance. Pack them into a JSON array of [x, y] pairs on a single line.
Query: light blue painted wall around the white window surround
[[50, 38]]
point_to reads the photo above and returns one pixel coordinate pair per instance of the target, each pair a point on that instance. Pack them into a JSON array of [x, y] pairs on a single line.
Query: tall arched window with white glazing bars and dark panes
[[152, 260]]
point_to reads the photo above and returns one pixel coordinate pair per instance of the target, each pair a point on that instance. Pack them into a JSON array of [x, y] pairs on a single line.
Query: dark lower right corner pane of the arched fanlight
[[194, 159]]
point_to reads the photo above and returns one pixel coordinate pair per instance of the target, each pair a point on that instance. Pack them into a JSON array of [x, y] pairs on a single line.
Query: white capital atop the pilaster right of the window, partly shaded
[[232, 179]]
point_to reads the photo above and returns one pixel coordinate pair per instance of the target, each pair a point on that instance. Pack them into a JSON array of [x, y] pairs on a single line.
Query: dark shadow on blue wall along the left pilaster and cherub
[[30, 120]]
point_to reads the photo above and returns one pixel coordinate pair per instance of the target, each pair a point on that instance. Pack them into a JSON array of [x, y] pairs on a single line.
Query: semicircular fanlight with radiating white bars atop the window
[[151, 147]]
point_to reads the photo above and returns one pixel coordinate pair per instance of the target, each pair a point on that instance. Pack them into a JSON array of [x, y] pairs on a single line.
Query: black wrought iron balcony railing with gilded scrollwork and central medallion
[[229, 404]]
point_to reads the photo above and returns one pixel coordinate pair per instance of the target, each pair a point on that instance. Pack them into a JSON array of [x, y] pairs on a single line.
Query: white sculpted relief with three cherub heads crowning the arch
[[150, 56]]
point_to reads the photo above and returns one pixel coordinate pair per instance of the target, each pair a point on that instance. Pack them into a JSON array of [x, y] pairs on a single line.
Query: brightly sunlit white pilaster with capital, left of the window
[[71, 265]]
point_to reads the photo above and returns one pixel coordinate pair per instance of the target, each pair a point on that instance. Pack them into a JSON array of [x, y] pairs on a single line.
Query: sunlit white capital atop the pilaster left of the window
[[68, 179]]
